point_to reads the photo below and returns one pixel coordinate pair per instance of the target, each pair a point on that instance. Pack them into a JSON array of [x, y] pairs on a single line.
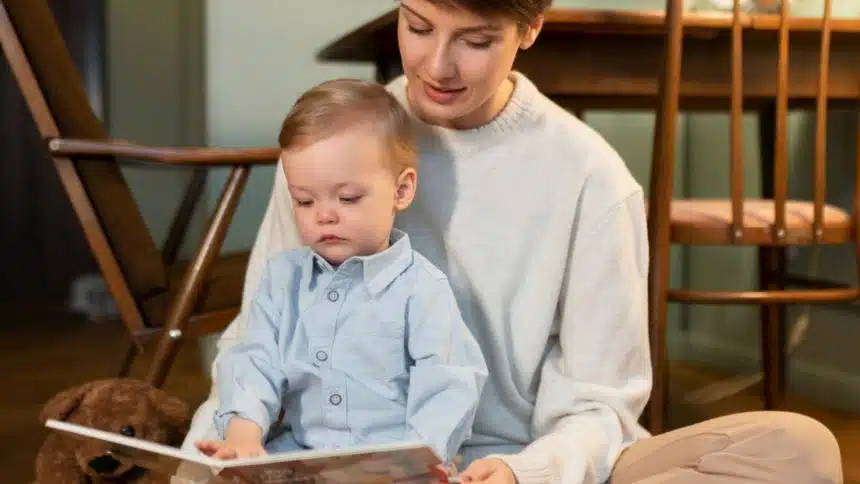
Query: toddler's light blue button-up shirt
[[373, 351]]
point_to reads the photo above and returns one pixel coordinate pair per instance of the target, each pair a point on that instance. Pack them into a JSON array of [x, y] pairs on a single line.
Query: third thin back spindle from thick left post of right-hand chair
[[820, 163]]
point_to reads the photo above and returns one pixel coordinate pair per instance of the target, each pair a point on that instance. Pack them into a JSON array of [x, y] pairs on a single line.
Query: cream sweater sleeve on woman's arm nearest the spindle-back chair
[[596, 378]]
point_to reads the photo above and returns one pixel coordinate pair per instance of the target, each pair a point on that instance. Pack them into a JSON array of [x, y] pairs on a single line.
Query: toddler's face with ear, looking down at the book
[[345, 194]]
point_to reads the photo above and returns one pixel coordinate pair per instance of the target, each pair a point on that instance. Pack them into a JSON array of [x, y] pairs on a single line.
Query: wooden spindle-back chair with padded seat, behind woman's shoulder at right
[[771, 223]]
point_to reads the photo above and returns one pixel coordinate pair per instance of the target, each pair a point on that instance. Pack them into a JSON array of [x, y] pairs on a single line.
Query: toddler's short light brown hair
[[341, 104]]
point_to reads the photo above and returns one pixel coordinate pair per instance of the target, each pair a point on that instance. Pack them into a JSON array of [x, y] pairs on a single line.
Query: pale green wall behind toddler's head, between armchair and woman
[[260, 57]]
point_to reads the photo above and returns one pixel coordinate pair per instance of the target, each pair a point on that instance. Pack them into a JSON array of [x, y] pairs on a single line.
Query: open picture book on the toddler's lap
[[402, 462]]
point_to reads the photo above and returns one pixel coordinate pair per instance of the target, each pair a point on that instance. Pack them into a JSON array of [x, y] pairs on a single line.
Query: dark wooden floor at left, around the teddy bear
[[42, 352]]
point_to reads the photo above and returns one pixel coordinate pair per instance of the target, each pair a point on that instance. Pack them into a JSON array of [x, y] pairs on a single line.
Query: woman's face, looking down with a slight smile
[[457, 63]]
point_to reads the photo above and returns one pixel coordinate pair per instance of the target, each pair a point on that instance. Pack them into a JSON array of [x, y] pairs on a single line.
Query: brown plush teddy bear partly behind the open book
[[122, 405]]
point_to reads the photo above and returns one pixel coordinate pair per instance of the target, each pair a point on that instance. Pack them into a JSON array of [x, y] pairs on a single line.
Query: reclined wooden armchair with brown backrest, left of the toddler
[[156, 295]]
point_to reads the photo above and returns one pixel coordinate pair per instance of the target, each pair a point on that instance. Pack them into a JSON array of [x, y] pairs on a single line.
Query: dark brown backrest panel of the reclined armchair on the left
[[60, 106]]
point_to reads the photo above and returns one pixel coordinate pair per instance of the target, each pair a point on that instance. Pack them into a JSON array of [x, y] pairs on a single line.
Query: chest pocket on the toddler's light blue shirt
[[376, 354]]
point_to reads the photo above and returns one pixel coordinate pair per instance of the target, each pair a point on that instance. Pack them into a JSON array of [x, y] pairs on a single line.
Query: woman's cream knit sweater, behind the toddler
[[541, 230]]
